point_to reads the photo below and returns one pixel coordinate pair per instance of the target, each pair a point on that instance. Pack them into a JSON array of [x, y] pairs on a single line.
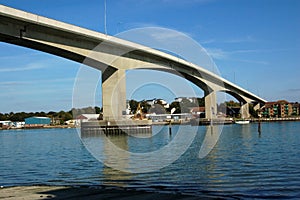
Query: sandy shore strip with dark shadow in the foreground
[[84, 192]]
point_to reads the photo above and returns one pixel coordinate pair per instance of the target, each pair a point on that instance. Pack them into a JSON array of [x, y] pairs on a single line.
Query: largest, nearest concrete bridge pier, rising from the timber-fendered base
[[114, 95]]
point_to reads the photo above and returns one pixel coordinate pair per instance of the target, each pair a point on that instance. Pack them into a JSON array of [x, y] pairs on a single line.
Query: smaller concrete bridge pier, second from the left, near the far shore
[[211, 106]]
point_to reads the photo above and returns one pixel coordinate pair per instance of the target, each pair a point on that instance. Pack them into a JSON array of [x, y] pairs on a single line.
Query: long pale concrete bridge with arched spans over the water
[[113, 57]]
